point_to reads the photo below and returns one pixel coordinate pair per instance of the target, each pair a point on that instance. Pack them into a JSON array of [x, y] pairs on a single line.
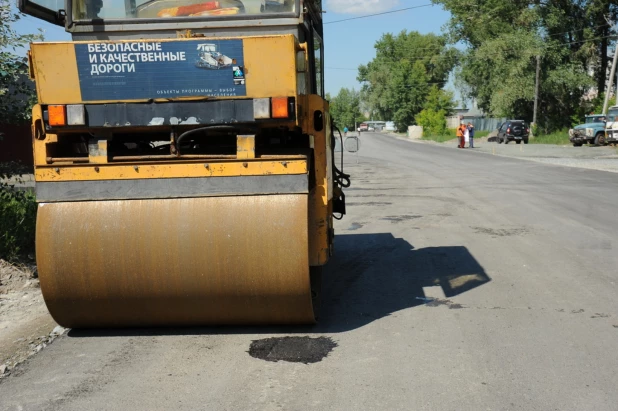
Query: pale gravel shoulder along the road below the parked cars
[[593, 158]]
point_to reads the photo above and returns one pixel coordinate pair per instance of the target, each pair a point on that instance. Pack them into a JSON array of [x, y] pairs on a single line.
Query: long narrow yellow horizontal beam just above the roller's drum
[[171, 170]]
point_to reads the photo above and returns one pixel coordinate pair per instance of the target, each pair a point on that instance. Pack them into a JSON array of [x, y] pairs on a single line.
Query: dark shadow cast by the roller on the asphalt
[[371, 276]]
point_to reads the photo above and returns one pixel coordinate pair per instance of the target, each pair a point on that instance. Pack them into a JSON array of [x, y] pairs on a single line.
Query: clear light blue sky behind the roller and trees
[[347, 44]]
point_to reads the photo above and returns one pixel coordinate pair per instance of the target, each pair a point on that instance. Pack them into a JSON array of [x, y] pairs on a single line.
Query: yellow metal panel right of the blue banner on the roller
[[270, 66]]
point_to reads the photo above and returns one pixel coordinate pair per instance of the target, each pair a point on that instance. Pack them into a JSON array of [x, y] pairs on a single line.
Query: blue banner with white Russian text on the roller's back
[[165, 69]]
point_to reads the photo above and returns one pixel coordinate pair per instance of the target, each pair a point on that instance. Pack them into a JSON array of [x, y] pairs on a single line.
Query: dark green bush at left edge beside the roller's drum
[[17, 214]]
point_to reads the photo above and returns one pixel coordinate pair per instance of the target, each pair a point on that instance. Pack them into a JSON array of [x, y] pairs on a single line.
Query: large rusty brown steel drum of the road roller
[[176, 262]]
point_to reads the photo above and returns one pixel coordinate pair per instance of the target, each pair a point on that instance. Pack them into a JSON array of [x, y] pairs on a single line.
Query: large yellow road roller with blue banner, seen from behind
[[185, 162]]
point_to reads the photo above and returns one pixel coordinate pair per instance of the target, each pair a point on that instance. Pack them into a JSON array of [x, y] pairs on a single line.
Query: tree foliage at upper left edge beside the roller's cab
[[16, 94]]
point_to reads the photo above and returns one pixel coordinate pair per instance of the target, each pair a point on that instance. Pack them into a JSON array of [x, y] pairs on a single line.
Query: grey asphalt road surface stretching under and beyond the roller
[[461, 281]]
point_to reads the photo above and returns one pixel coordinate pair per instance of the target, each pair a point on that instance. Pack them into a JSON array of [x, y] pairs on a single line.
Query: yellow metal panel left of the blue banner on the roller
[[55, 72]]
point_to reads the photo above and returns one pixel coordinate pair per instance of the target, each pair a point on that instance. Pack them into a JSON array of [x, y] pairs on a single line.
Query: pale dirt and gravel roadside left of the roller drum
[[26, 327]]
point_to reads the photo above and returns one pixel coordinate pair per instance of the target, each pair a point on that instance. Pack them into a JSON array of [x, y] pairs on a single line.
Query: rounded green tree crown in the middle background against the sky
[[397, 81]]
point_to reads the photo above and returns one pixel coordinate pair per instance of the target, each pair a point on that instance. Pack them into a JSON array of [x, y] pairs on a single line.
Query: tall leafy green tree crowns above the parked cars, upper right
[[504, 38]]
